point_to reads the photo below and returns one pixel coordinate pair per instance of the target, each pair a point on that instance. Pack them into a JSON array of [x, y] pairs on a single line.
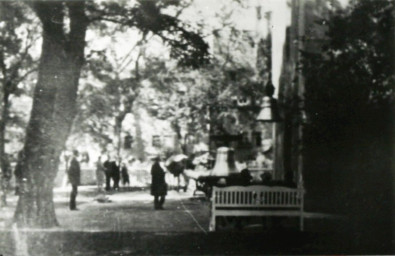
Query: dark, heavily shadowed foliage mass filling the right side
[[350, 105]]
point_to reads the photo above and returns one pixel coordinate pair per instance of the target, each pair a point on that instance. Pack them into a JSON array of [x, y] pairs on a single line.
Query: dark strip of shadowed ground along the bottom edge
[[218, 243]]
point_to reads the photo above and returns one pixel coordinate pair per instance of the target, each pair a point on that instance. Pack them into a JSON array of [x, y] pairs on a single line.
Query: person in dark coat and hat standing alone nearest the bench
[[158, 184]]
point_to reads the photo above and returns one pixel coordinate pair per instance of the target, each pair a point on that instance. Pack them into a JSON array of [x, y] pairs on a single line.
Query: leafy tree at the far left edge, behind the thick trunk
[[16, 63]]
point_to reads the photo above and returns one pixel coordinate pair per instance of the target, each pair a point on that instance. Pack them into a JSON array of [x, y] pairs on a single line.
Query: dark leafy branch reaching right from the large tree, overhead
[[186, 45]]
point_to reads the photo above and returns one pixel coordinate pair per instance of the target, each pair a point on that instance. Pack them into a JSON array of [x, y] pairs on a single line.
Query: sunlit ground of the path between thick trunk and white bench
[[133, 212]]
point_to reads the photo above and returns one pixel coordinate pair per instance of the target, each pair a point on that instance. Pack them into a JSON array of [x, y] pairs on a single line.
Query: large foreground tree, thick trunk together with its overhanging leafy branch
[[54, 105]]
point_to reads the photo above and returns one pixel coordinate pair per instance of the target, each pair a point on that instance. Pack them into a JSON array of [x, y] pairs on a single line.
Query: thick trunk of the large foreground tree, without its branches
[[53, 110]]
